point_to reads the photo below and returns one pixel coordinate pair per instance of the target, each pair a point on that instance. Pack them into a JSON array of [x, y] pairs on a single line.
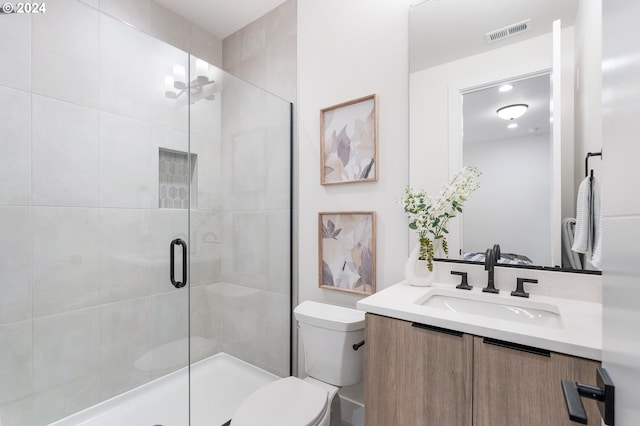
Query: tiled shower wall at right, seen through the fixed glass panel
[[256, 222]]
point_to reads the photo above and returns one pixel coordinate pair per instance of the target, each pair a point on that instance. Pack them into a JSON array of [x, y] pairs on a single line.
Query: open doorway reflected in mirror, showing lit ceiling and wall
[[513, 202]]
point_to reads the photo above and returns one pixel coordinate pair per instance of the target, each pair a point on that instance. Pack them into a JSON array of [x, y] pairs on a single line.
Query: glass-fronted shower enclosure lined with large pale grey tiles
[[145, 210]]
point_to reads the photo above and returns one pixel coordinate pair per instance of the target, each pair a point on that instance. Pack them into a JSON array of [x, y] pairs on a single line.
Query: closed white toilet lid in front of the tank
[[285, 402]]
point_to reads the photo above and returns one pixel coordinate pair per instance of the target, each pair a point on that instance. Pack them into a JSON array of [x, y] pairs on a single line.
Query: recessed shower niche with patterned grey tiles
[[175, 175]]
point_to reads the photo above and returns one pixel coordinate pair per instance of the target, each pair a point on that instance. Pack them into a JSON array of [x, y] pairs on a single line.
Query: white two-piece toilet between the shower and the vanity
[[328, 334]]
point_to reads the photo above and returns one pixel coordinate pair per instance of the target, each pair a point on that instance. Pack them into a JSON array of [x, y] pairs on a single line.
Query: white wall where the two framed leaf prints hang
[[347, 50]]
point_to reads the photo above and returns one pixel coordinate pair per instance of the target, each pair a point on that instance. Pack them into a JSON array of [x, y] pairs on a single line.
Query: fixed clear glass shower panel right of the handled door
[[240, 251]]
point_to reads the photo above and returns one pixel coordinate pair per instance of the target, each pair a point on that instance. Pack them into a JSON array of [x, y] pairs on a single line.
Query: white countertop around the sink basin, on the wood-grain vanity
[[579, 334]]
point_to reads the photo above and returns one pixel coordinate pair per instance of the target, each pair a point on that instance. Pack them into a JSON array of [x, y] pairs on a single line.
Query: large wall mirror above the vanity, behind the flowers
[[461, 52]]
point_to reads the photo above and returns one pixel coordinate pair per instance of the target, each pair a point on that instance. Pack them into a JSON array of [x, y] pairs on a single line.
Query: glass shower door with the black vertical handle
[[97, 187]]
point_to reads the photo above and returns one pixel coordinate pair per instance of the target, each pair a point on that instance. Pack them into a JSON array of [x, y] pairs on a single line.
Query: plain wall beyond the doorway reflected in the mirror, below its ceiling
[[511, 167]]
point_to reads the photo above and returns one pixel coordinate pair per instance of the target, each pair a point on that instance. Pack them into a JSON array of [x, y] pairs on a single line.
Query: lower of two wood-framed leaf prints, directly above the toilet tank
[[347, 251]]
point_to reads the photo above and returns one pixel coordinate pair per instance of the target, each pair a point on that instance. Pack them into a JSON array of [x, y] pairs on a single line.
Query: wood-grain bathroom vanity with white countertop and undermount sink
[[442, 356]]
